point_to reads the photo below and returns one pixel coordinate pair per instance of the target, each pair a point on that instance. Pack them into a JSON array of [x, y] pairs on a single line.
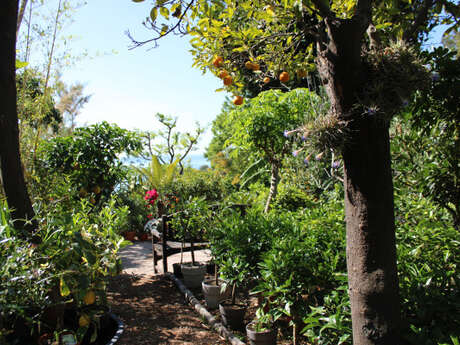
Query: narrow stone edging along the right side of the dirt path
[[211, 320]]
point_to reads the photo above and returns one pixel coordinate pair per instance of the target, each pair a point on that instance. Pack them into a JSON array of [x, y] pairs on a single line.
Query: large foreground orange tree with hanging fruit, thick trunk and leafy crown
[[367, 79]]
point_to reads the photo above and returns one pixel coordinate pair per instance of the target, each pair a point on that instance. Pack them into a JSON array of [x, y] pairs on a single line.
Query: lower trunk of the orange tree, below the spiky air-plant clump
[[371, 247]]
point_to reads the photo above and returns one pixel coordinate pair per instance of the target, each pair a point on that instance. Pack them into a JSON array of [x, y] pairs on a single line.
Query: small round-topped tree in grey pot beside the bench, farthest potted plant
[[190, 223]]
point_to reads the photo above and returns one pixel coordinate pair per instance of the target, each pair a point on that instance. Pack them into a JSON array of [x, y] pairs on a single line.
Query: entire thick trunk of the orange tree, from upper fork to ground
[[369, 208]]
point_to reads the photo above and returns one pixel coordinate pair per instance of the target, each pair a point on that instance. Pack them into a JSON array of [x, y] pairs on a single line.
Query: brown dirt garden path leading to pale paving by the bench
[[151, 307]]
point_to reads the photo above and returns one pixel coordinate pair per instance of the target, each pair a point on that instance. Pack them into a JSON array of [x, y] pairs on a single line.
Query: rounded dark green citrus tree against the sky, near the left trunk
[[89, 159]]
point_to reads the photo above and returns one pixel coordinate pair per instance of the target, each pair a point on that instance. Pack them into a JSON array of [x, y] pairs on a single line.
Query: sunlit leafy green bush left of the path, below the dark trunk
[[67, 270]]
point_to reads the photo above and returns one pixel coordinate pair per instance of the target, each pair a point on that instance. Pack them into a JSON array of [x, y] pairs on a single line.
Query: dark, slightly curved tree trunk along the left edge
[[11, 167]]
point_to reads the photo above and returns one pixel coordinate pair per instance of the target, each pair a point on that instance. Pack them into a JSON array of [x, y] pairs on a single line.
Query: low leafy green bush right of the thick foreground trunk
[[428, 264]]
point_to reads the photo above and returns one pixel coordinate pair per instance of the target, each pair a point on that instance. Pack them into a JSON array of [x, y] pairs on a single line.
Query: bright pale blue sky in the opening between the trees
[[129, 87]]
